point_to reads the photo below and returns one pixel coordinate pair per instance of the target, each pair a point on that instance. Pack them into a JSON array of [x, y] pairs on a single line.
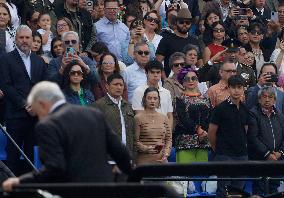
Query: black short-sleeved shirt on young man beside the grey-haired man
[[231, 135]]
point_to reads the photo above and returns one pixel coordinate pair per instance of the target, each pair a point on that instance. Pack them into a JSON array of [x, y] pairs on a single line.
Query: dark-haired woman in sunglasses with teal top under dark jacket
[[74, 89]]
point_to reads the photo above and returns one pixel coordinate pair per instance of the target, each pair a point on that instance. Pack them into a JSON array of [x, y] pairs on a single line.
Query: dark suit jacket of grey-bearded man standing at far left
[[16, 82]]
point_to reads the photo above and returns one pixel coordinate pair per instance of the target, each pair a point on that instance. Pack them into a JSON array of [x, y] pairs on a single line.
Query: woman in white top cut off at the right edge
[[278, 54]]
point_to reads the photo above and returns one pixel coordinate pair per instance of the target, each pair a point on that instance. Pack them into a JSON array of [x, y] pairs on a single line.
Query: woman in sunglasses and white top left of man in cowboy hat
[[152, 24]]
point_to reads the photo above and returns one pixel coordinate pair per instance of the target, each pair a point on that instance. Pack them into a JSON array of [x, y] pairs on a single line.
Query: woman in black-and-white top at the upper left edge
[[5, 25]]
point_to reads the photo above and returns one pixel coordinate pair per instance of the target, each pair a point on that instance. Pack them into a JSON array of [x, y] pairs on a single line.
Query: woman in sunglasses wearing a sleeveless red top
[[218, 35]]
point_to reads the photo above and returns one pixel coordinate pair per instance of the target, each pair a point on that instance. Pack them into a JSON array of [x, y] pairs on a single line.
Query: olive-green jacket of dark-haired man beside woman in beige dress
[[112, 115]]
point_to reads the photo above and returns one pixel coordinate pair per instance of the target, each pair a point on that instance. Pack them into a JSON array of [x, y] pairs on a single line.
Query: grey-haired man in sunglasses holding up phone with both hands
[[70, 44]]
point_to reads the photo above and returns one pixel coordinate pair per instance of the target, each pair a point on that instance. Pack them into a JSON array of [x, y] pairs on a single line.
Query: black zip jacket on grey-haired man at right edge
[[265, 134]]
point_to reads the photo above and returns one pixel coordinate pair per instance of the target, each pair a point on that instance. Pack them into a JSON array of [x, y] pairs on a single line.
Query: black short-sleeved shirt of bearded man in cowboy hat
[[173, 43]]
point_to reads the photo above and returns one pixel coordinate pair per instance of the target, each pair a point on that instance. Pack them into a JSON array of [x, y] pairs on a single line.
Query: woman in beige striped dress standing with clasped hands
[[153, 133]]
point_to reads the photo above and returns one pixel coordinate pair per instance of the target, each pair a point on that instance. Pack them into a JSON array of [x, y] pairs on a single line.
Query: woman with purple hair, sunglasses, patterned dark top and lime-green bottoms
[[192, 109]]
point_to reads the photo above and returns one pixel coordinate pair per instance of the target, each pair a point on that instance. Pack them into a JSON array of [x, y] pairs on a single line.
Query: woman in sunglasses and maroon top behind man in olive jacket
[[108, 65]]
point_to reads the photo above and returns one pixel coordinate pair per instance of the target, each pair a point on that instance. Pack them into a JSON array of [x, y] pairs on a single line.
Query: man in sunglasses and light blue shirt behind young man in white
[[134, 75]]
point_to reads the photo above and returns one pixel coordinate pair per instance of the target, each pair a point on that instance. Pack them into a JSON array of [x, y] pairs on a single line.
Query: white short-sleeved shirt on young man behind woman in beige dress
[[165, 95]]
